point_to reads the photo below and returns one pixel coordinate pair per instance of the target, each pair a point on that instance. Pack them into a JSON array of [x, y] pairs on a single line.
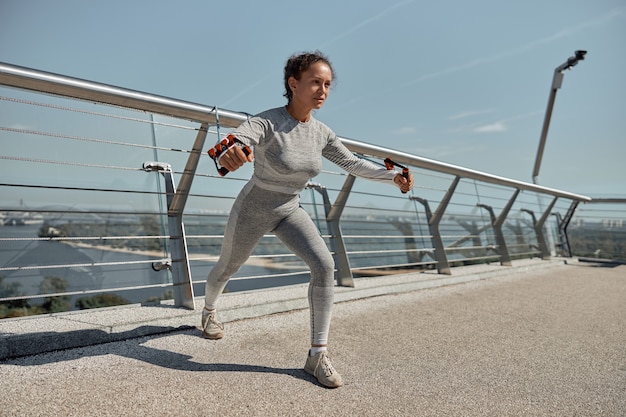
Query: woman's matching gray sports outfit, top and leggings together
[[287, 155]]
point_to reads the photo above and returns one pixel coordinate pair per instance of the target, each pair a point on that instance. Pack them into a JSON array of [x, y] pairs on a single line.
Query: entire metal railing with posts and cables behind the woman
[[103, 175]]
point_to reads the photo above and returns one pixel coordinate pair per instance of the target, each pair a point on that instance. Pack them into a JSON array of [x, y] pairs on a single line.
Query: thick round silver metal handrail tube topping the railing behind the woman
[[41, 81]]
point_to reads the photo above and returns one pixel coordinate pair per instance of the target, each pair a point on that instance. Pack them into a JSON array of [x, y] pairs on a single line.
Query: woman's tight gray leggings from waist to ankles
[[255, 213]]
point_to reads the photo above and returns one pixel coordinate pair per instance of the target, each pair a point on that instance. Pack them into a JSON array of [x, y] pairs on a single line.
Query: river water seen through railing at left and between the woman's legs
[[88, 277]]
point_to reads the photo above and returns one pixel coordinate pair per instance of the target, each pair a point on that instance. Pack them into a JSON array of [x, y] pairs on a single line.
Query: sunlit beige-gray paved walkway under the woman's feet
[[527, 341]]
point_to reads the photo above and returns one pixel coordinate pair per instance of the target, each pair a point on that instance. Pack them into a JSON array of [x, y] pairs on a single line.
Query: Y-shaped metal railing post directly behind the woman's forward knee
[[333, 213]]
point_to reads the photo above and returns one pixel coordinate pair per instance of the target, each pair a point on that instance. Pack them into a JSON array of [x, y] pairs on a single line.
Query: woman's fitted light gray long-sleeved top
[[287, 153]]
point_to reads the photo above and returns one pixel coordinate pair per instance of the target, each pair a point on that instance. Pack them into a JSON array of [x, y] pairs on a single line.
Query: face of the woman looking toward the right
[[312, 89]]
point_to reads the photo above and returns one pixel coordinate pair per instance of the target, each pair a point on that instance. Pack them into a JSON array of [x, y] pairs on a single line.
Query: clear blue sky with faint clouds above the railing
[[462, 82]]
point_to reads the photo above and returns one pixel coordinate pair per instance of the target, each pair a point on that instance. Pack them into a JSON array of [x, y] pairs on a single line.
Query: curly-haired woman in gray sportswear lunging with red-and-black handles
[[288, 145]]
